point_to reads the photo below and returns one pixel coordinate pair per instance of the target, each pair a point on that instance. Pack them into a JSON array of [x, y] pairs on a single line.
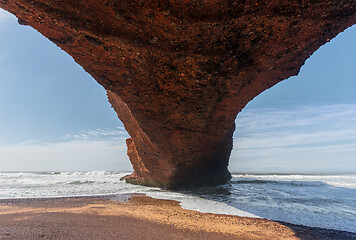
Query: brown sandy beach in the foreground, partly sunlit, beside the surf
[[137, 217]]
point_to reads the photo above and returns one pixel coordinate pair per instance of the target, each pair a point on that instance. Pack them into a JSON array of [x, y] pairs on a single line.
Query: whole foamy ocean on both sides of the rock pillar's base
[[327, 201]]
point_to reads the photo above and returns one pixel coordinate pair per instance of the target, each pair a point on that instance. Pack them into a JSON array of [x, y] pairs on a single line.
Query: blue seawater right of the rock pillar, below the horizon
[[327, 201]]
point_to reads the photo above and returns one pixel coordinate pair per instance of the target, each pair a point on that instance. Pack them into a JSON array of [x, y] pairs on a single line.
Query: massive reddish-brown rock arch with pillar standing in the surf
[[178, 72]]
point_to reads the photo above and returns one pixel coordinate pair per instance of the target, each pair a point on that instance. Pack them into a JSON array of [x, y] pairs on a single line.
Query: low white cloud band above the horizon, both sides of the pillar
[[301, 139]]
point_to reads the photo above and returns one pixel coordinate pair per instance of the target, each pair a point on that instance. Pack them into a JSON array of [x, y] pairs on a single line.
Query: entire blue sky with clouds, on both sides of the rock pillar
[[54, 116]]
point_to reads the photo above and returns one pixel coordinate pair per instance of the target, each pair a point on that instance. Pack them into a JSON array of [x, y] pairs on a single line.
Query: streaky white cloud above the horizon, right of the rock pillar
[[300, 139]]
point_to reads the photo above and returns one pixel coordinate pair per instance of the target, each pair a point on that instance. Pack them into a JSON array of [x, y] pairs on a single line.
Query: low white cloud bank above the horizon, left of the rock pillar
[[80, 152]]
